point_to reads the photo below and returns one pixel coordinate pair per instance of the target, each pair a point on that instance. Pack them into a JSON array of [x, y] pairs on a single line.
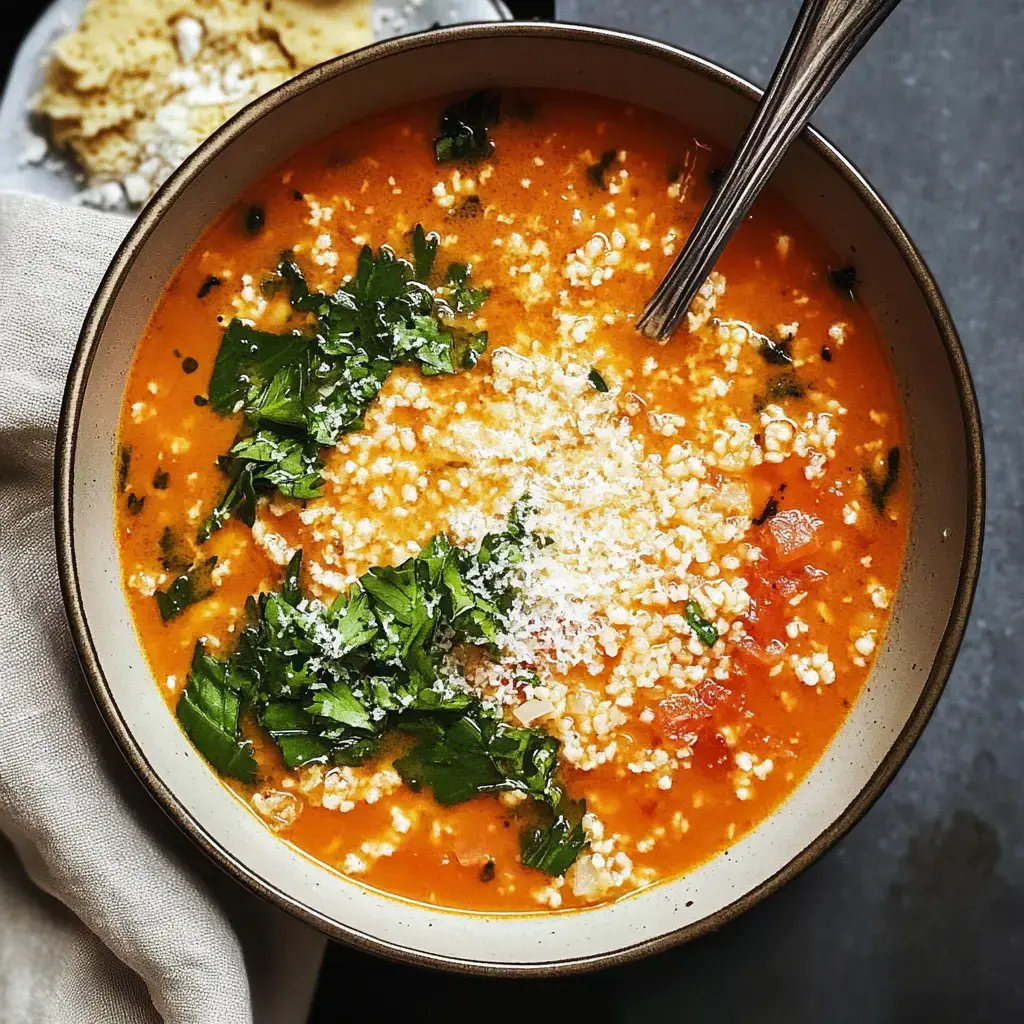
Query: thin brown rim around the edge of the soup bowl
[[74, 395]]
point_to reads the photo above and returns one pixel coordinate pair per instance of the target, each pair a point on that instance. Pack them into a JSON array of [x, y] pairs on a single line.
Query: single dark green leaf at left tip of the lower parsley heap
[[208, 711]]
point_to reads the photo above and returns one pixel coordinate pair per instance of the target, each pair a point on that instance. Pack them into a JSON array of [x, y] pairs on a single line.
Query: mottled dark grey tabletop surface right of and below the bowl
[[919, 915]]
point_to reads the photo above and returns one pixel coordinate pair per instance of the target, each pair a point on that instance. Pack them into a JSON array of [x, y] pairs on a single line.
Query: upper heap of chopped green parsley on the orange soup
[[303, 392]]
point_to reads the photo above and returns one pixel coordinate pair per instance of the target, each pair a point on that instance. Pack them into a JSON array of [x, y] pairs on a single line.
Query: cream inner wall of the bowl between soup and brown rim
[[941, 475]]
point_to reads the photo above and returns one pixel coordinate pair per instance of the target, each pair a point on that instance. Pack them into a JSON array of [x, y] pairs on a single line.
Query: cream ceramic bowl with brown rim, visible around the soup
[[930, 609]]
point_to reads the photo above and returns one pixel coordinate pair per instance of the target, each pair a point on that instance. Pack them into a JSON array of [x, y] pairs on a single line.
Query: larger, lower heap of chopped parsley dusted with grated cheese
[[330, 682]]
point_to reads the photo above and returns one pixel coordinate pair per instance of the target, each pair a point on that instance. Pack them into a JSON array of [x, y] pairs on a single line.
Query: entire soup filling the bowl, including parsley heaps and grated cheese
[[574, 611]]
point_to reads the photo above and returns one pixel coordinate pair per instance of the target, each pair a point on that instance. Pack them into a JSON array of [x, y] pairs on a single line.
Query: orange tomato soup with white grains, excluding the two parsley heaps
[[716, 526]]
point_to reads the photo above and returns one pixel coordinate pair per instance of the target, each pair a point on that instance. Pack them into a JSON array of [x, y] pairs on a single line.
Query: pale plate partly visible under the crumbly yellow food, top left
[[55, 178]]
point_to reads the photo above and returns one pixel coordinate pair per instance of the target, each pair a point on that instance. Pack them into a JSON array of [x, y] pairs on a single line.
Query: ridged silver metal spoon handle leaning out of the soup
[[827, 37]]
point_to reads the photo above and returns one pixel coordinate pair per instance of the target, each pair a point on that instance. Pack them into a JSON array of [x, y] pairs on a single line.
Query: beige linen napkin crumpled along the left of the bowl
[[125, 921]]
